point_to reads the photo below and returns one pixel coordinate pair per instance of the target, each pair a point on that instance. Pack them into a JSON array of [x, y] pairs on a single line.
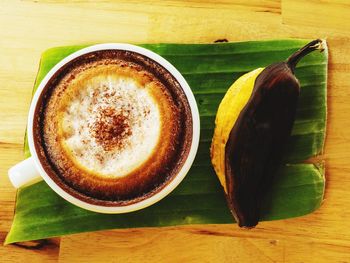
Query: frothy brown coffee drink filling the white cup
[[114, 127]]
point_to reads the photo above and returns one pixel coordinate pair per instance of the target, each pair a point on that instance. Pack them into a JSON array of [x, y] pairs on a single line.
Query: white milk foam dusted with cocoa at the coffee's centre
[[102, 105]]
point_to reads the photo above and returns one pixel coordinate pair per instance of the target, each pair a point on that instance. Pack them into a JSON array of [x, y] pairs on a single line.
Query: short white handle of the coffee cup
[[24, 173]]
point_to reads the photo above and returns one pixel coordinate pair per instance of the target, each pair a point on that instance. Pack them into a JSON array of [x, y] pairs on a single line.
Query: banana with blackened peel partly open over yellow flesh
[[252, 127]]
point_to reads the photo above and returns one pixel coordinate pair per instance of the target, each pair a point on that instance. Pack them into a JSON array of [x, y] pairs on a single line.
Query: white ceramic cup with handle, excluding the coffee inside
[[30, 170]]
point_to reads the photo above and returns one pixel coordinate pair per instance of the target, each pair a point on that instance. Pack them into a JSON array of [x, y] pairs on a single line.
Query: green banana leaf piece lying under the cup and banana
[[298, 188]]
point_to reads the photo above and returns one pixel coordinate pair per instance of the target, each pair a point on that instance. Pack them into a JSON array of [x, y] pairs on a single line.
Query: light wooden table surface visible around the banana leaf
[[29, 27]]
